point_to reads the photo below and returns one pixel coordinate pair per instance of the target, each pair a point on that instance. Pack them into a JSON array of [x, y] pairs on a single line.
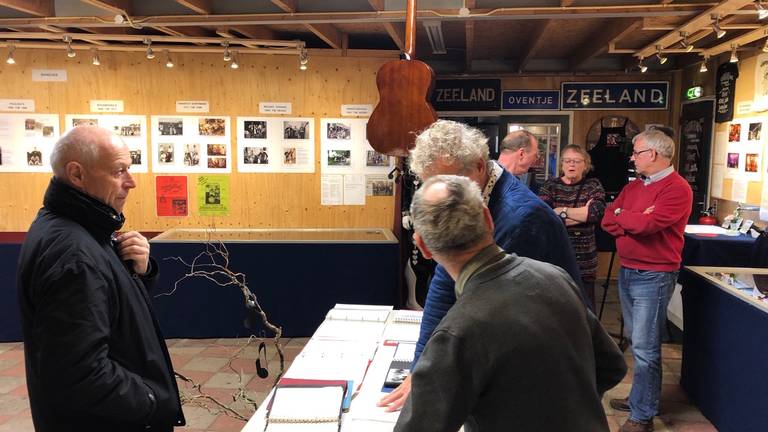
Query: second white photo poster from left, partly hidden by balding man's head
[[132, 129]]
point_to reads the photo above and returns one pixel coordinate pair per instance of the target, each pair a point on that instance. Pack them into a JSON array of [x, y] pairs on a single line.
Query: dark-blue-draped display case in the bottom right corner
[[725, 350]]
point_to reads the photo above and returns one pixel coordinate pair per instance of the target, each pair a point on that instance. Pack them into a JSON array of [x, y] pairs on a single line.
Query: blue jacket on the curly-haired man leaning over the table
[[523, 224]]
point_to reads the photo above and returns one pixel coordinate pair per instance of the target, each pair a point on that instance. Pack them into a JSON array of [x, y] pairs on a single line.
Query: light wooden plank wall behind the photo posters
[[149, 88]]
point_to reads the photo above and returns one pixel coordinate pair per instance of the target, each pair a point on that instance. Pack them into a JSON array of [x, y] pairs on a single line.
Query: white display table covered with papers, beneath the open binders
[[350, 340]]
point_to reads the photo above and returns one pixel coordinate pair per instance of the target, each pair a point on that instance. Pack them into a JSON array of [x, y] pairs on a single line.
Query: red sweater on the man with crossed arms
[[651, 241]]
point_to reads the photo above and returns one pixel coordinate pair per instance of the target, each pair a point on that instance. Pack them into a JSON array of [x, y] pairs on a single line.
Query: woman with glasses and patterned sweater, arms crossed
[[580, 203]]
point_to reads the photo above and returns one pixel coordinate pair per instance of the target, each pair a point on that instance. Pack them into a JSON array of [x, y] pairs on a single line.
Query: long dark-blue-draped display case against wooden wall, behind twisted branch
[[296, 274]]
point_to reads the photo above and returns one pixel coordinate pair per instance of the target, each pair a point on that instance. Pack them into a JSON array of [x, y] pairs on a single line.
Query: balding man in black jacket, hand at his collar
[[95, 357]]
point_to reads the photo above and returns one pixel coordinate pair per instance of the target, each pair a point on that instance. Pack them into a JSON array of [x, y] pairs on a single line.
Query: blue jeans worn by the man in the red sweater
[[644, 297]]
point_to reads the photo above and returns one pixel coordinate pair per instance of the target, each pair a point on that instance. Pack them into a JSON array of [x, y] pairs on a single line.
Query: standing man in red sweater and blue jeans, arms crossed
[[648, 219]]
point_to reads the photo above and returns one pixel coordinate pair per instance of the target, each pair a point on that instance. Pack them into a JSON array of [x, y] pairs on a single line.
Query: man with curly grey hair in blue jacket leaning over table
[[524, 224]]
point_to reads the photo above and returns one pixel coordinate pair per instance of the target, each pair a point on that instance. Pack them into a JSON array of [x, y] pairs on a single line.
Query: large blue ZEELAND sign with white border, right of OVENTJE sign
[[644, 95]]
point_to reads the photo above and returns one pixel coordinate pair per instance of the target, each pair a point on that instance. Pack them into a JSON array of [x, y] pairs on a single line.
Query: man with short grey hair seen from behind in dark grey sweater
[[518, 351]]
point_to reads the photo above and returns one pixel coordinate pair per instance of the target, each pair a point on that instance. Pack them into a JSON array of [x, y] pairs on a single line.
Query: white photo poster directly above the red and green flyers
[[191, 144]]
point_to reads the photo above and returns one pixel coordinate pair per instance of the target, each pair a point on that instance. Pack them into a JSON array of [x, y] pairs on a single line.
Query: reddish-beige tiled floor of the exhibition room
[[207, 362]]
